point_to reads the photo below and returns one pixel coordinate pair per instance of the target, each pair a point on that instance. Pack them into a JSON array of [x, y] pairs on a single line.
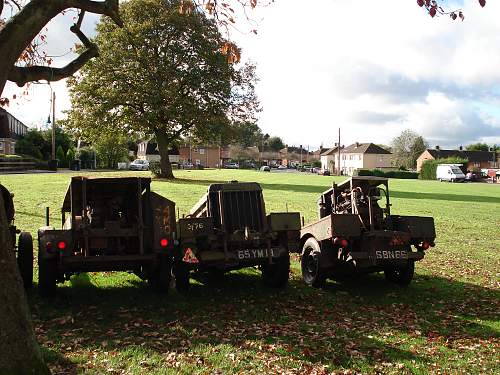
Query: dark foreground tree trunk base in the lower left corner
[[19, 351]]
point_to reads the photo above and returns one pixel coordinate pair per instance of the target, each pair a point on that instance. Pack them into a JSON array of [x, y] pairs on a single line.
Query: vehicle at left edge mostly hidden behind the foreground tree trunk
[[24, 247]]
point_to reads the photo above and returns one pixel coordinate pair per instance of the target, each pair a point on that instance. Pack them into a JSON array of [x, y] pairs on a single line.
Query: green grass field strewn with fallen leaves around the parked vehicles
[[446, 321]]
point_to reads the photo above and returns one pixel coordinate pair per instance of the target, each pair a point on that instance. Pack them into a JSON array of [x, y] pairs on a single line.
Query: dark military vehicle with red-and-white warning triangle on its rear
[[228, 229]]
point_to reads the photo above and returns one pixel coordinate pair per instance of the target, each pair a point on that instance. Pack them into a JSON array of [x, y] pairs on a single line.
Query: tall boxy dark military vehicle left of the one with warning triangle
[[109, 224]]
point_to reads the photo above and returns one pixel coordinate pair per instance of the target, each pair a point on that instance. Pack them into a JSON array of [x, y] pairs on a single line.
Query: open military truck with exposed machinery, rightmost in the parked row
[[354, 234]]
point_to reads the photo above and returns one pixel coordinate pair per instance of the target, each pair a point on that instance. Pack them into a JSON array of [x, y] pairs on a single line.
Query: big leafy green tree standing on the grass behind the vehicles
[[163, 74]]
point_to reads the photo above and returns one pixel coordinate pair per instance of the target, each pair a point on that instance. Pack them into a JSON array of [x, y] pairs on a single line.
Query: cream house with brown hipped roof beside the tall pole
[[363, 156]]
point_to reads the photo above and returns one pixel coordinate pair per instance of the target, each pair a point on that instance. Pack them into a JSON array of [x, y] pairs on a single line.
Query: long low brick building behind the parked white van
[[477, 159]]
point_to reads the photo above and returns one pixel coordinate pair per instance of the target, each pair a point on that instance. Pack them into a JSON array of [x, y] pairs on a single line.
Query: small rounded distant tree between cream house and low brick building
[[407, 147]]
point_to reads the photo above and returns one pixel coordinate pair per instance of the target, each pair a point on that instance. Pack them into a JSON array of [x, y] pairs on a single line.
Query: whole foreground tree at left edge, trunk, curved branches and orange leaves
[[22, 62]]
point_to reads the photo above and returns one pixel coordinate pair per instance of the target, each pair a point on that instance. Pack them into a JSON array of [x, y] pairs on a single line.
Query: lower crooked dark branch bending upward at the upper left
[[22, 75]]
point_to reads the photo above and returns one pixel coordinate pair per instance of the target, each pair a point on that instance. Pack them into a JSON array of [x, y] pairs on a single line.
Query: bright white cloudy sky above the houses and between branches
[[371, 68]]
